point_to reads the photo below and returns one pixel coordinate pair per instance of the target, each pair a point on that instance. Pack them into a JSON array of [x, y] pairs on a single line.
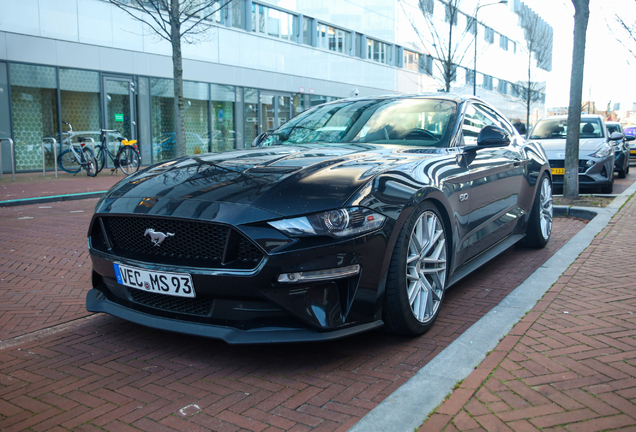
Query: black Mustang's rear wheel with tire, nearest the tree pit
[[541, 215]]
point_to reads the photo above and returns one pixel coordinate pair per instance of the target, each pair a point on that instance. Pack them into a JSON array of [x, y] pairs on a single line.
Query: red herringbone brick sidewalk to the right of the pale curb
[[570, 364]]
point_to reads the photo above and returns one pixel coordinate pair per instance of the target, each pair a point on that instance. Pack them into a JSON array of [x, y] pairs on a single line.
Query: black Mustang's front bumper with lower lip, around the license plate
[[251, 306]]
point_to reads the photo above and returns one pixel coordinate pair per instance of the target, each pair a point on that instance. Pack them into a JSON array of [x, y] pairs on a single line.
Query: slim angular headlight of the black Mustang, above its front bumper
[[333, 223]]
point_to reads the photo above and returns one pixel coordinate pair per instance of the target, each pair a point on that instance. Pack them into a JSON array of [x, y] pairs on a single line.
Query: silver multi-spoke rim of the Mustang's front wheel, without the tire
[[426, 267]]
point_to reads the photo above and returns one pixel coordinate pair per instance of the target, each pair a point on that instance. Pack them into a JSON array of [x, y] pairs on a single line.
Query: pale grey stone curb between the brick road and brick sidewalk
[[406, 408]]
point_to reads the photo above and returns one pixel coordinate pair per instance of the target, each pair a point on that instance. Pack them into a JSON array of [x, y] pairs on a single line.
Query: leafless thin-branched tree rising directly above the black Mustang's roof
[[449, 43]]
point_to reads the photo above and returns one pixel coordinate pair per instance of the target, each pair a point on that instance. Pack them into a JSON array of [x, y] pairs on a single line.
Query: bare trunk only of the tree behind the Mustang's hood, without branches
[[175, 36]]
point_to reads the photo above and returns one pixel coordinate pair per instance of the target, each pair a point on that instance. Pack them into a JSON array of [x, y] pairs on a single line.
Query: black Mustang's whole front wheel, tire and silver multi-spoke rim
[[413, 298]]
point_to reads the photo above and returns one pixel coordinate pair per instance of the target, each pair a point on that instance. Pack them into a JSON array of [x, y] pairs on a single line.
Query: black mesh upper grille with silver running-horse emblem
[[188, 243]]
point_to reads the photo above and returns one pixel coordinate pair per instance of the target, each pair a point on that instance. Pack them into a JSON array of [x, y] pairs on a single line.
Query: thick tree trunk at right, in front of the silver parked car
[[571, 177]]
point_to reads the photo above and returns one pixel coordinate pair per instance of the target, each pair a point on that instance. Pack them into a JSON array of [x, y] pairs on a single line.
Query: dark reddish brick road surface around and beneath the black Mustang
[[102, 373]]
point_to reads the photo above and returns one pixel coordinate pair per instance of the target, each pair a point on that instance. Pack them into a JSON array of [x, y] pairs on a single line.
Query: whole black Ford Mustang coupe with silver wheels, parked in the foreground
[[353, 215]]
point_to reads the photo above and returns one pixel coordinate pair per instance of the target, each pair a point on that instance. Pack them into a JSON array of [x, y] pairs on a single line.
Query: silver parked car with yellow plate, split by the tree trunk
[[596, 152]]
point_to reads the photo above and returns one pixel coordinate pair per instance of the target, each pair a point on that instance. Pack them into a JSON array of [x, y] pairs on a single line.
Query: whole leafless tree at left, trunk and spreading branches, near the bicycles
[[175, 21]]
